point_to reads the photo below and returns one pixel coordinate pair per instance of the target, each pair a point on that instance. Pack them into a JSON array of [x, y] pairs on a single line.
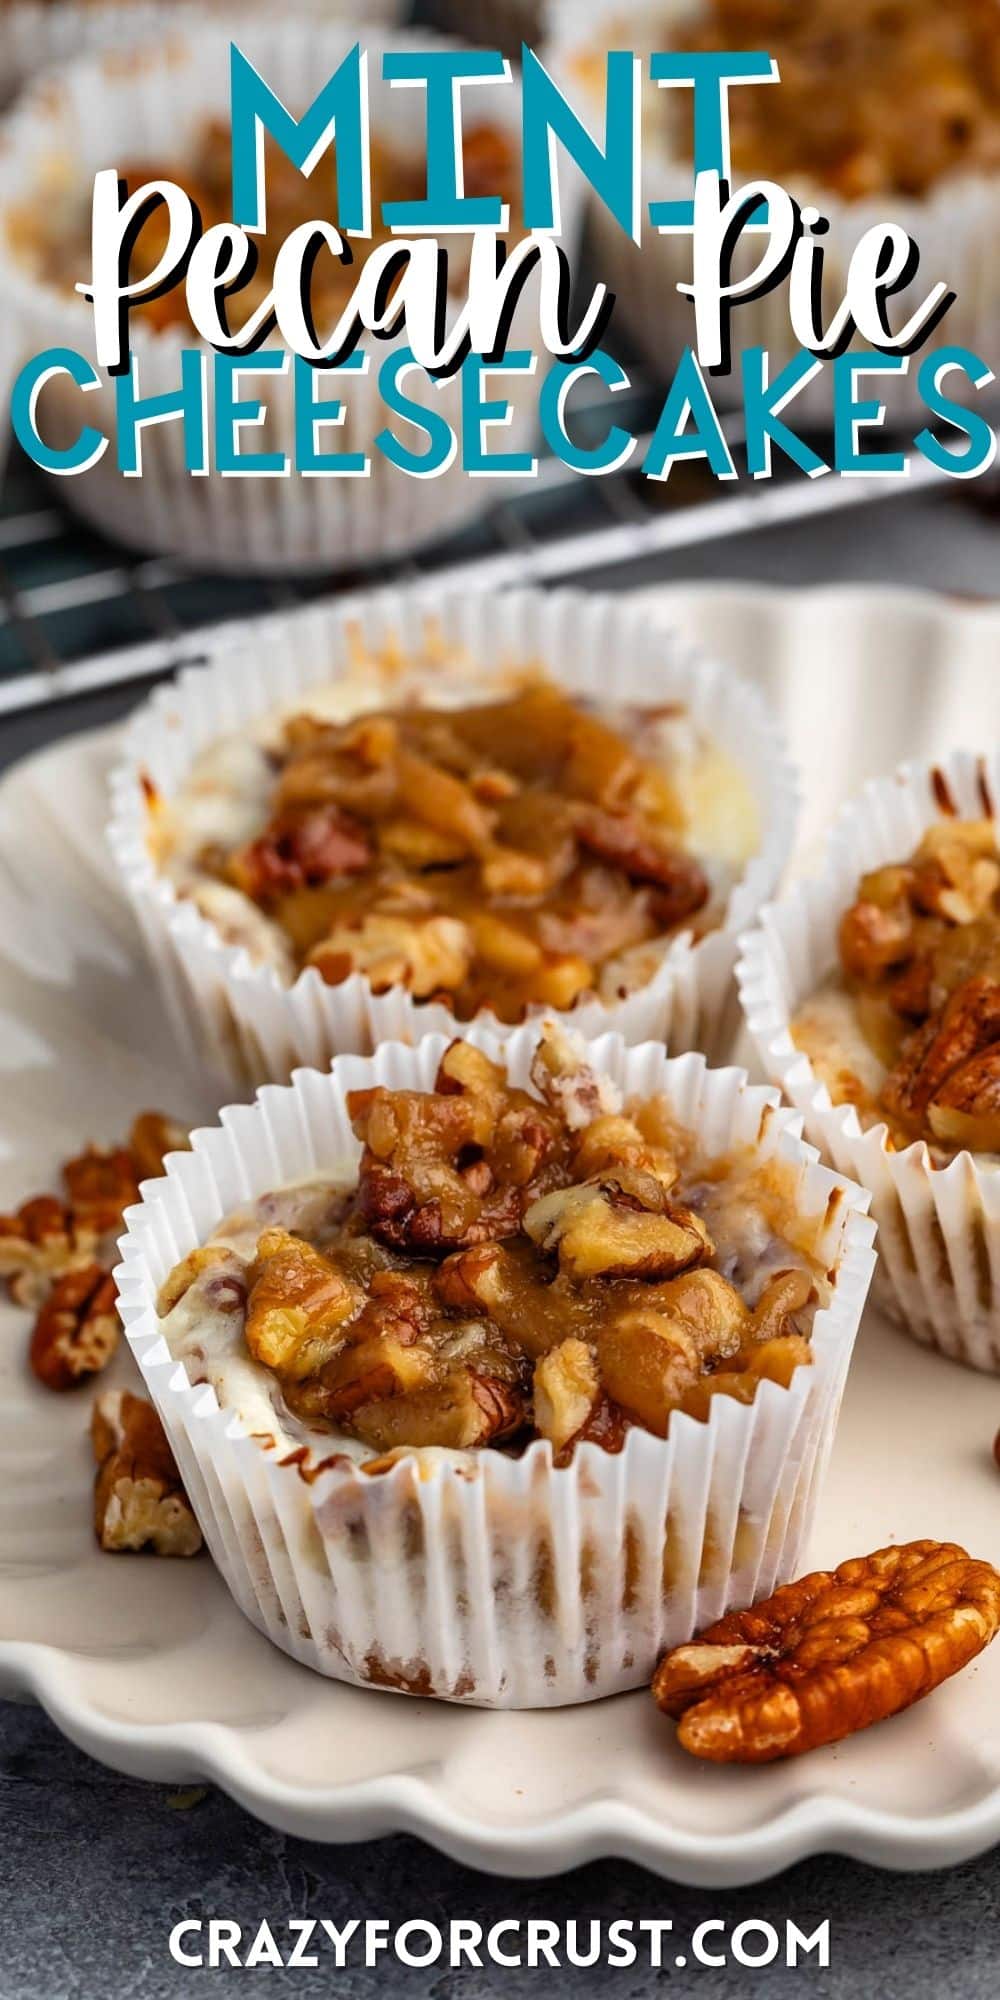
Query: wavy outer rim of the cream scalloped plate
[[403, 1803]]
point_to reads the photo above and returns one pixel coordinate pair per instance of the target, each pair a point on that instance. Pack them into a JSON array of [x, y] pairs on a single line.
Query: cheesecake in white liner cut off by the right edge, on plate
[[873, 995]]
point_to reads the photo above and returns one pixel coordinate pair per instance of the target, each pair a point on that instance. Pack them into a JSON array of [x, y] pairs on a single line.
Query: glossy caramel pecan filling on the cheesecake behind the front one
[[511, 853]]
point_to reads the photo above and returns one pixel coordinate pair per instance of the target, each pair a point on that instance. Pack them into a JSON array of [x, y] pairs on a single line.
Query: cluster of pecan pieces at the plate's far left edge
[[57, 1253]]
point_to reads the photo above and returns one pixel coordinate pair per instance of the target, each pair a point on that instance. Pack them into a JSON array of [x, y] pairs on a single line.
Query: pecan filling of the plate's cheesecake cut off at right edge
[[921, 967]]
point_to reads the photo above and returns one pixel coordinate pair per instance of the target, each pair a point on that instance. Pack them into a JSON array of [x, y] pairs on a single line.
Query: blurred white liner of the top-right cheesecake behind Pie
[[957, 229]]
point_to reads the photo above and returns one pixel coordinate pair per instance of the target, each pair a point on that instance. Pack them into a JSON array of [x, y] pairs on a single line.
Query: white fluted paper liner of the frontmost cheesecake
[[469, 1575]]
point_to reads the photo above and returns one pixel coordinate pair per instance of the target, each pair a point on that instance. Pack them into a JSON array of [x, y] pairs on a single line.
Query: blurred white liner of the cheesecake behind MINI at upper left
[[149, 103]]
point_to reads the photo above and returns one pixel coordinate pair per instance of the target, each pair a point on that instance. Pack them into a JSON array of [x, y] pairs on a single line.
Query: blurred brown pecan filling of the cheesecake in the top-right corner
[[875, 97]]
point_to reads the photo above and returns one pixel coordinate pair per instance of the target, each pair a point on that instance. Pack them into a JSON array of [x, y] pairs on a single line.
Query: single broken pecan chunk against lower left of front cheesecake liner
[[139, 1501]]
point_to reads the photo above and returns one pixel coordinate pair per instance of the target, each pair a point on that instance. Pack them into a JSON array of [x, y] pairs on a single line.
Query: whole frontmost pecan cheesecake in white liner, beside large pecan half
[[497, 1361]]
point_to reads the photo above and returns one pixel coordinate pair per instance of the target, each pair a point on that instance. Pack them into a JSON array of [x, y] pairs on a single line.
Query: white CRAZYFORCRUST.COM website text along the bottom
[[535, 1943]]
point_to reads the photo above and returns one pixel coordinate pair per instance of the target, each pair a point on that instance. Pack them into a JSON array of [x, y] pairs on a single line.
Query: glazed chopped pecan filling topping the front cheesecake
[[509, 1265]]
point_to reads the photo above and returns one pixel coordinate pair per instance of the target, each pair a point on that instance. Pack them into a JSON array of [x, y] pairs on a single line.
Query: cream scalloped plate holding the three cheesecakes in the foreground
[[149, 1667]]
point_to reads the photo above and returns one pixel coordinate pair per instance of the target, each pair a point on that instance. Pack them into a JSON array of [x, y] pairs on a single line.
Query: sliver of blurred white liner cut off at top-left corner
[[37, 35]]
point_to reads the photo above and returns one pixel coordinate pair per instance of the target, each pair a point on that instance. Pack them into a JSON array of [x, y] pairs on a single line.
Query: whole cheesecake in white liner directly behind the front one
[[399, 817]]
